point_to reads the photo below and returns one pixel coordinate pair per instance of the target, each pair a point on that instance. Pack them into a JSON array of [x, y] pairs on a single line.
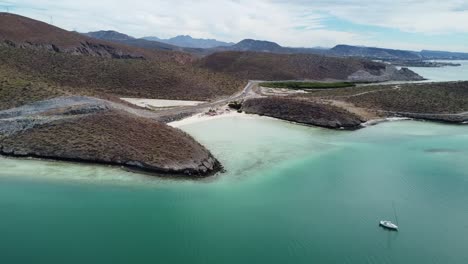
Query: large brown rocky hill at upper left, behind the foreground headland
[[36, 54]]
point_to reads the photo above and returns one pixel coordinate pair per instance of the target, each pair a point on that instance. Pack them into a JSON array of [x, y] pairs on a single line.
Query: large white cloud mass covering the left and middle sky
[[229, 20]]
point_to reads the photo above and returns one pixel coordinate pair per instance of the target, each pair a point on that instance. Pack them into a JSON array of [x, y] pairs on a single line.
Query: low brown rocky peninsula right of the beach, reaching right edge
[[348, 108]]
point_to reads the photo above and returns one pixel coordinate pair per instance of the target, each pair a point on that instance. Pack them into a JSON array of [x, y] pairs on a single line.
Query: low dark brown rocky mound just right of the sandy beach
[[305, 112]]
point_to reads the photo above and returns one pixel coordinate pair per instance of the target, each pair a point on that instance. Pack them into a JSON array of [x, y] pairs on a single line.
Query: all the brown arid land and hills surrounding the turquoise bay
[[42, 65]]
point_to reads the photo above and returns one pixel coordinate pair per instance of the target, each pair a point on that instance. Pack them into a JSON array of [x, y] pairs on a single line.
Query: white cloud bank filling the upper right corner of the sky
[[422, 16]]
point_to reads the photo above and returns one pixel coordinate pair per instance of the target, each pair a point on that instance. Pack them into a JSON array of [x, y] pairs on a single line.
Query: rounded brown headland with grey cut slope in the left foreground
[[90, 130]]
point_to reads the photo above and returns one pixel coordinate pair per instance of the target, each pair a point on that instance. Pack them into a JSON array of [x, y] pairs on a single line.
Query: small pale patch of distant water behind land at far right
[[444, 74]]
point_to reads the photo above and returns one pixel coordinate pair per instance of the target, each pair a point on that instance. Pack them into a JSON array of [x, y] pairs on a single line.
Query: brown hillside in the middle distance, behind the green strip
[[268, 66]]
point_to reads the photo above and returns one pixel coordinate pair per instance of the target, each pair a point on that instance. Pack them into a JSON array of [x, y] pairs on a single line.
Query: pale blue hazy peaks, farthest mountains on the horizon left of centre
[[189, 42]]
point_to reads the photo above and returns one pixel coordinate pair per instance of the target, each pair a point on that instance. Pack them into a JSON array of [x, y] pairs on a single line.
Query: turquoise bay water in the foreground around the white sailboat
[[291, 194]]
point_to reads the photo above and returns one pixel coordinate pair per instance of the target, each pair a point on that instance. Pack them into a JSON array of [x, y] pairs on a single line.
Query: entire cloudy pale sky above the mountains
[[405, 24]]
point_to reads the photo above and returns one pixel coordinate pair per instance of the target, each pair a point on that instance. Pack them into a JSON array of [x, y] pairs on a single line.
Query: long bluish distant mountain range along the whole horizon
[[209, 46]]
